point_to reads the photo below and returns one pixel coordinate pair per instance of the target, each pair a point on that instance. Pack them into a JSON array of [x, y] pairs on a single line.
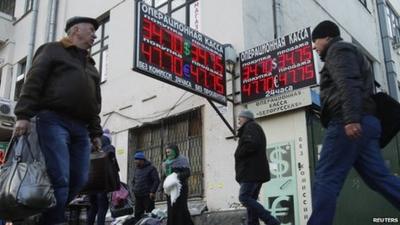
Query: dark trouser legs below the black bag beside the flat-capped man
[[99, 207]]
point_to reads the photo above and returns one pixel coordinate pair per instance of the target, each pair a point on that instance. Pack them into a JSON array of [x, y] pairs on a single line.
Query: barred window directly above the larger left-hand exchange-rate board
[[185, 11]]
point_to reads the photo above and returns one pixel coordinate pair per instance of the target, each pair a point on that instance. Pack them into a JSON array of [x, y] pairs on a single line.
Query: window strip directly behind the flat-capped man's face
[[99, 50]]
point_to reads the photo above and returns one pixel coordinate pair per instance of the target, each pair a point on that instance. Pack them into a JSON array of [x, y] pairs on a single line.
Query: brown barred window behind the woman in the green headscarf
[[184, 130]]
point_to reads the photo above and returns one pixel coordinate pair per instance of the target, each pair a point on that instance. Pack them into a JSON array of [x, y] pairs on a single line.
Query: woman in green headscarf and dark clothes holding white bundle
[[178, 212]]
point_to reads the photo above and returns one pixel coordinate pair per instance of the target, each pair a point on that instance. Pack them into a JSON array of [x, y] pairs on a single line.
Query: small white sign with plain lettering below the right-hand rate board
[[281, 103]]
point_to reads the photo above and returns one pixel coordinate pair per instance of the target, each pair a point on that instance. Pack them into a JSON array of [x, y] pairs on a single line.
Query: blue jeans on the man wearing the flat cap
[[66, 149]]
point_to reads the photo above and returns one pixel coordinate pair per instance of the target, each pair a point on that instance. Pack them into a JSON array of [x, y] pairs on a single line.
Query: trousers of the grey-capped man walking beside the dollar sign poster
[[248, 196]]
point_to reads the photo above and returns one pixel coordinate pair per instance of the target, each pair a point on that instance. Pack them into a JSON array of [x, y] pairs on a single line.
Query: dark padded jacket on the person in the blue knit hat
[[146, 180]]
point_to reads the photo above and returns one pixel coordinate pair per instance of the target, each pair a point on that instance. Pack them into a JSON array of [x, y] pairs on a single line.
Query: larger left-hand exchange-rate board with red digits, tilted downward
[[172, 52]]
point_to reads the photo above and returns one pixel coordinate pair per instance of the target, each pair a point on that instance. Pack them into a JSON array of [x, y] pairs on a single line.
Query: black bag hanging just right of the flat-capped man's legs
[[103, 173]]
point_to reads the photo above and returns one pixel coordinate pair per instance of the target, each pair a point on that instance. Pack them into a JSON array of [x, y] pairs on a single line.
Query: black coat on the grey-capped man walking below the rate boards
[[251, 164]]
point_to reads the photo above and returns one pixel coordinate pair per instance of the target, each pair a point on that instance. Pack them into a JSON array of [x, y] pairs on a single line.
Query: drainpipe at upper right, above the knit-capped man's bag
[[391, 74]]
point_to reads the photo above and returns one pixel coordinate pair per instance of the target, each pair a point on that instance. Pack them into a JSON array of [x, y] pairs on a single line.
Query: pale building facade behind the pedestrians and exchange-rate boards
[[147, 114]]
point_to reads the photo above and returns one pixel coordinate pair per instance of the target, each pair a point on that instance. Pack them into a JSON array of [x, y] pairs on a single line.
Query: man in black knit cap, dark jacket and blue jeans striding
[[352, 131]]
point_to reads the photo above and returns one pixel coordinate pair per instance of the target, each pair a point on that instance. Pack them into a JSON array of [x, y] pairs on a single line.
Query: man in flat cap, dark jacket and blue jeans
[[62, 91]]
